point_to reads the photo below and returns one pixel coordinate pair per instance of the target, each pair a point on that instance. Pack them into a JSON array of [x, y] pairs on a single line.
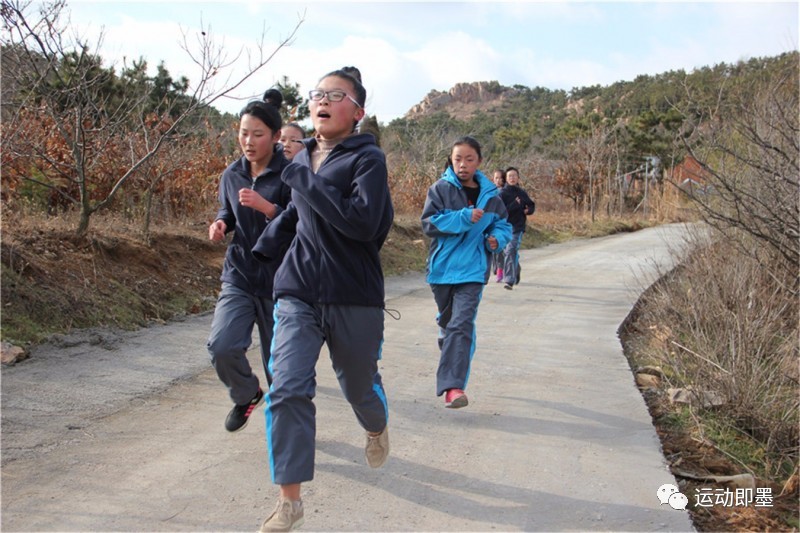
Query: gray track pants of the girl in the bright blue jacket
[[458, 309]]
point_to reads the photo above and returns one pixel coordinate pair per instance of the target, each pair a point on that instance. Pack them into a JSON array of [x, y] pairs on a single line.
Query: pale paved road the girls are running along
[[125, 432]]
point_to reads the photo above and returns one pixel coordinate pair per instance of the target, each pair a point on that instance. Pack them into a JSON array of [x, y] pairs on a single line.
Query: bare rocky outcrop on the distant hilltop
[[474, 95]]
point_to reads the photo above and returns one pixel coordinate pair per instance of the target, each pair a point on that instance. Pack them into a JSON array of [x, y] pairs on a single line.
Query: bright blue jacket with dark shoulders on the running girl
[[458, 251]]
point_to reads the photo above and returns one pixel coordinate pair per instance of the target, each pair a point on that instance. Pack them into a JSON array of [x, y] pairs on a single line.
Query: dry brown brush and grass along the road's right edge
[[723, 325]]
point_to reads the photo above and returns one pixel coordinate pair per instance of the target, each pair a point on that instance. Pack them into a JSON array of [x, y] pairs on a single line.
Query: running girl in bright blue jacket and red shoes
[[466, 220]]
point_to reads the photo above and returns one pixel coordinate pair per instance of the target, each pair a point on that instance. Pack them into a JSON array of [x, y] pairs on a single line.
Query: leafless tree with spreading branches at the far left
[[62, 86]]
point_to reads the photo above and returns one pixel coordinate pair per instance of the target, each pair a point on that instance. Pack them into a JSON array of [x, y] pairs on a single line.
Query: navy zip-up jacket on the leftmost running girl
[[241, 268]]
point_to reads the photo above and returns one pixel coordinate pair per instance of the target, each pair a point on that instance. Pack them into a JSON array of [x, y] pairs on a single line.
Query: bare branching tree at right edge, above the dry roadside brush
[[748, 150]]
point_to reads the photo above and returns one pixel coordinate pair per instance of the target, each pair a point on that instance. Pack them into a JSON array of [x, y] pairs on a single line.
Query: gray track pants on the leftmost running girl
[[235, 314]]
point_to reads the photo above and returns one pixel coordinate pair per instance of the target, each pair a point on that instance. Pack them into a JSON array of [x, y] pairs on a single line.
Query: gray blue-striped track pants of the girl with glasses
[[354, 335]]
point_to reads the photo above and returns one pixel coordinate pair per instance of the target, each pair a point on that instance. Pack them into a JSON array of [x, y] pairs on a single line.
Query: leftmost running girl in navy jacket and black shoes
[[250, 192]]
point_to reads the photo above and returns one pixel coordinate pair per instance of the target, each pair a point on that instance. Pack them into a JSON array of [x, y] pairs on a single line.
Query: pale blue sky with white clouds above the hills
[[406, 49]]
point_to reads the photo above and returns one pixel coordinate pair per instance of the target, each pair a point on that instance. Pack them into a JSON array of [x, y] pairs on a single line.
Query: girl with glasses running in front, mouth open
[[328, 289]]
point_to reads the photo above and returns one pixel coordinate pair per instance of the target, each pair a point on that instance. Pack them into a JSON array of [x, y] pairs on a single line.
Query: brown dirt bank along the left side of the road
[[54, 282]]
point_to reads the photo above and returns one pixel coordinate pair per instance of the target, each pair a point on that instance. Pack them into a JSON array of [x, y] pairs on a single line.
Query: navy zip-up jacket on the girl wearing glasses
[[337, 221]]
